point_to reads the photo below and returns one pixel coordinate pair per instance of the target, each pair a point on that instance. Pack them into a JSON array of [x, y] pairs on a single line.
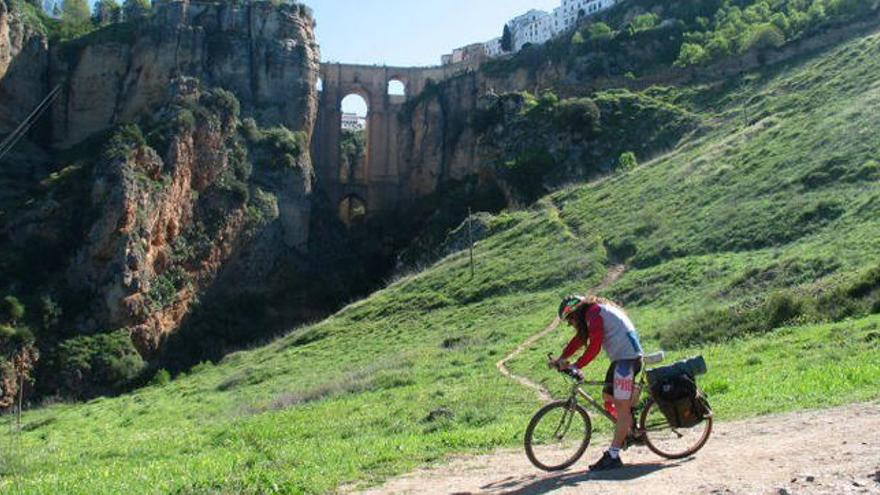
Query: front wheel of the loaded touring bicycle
[[558, 435]]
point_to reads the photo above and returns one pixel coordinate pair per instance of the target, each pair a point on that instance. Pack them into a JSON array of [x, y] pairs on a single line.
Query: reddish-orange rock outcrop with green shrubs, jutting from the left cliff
[[170, 222]]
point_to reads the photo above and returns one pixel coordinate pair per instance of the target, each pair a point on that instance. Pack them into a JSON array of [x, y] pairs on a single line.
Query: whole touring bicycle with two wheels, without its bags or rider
[[550, 448]]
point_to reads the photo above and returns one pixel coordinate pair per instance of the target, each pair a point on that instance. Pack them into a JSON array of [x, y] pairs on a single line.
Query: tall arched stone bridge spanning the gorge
[[376, 184]]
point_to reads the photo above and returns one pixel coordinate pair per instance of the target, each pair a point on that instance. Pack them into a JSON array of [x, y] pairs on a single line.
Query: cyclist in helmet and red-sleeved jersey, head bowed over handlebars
[[599, 323]]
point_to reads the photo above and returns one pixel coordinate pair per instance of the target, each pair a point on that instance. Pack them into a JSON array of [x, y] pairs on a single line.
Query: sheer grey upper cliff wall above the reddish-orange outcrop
[[265, 54]]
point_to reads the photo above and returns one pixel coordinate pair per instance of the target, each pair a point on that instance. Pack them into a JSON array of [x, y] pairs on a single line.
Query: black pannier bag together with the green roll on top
[[676, 393]]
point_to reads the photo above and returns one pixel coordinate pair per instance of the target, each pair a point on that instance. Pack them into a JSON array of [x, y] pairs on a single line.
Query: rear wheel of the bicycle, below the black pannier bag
[[667, 441]]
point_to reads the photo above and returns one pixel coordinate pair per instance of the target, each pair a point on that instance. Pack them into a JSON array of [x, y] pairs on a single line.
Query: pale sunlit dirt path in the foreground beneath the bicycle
[[835, 451]]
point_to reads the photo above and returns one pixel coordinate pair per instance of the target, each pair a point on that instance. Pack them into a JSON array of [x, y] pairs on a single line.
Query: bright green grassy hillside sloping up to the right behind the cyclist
[[778, 191]]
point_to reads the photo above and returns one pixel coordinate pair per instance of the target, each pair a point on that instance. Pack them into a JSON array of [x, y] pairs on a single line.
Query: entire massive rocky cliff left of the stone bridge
[[179, 175]]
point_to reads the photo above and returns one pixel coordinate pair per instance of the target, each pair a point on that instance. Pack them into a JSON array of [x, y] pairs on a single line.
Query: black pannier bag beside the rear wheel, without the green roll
[[683, 404]]
